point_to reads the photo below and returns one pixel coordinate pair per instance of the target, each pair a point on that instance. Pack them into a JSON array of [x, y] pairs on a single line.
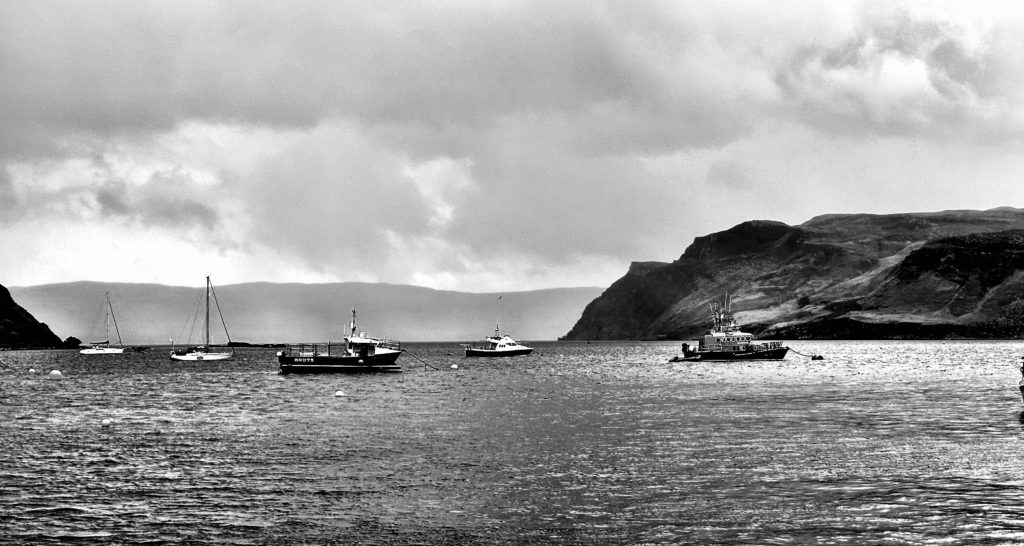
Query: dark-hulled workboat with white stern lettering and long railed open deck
[[358, 354]]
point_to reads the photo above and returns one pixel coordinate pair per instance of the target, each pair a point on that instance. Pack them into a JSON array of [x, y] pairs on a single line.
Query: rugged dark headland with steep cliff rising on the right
[[952, 274]]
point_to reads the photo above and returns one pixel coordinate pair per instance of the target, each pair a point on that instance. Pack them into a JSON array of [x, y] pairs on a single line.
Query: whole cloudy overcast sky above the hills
[[481, 146]]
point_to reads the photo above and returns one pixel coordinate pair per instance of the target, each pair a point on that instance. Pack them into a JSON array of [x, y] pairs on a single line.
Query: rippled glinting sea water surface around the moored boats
[[893, 443]]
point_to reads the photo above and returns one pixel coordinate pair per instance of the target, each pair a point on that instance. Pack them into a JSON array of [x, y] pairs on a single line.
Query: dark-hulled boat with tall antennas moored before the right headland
[[724, 342]]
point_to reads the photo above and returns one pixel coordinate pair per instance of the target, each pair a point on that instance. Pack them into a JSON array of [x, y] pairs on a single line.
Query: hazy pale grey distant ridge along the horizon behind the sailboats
[[269, 313]]
